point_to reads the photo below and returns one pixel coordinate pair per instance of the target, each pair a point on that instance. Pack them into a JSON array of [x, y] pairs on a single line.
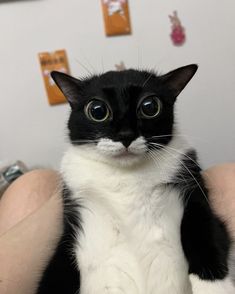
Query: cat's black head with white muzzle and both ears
[[122, 116]]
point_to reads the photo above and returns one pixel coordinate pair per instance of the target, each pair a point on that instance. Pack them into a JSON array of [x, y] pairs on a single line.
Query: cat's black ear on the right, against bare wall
[[176, 80]]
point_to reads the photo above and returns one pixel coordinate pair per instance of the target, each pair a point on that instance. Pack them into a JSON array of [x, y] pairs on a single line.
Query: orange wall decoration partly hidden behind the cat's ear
[[50, 61]]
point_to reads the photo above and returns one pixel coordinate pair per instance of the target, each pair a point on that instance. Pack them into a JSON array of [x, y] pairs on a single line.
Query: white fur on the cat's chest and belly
[[131, 221]]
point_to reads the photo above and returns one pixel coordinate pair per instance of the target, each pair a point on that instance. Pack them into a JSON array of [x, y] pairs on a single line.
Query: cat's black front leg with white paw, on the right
[[206, 244]]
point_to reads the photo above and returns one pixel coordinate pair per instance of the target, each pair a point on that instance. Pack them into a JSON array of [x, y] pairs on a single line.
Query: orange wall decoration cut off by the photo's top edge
[[116, 17]]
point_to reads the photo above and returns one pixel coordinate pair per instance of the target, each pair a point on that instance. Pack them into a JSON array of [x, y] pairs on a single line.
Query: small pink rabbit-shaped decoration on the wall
[[178, 32]]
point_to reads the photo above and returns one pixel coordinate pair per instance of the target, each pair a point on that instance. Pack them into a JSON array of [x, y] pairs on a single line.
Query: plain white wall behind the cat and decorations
[[34, 132]]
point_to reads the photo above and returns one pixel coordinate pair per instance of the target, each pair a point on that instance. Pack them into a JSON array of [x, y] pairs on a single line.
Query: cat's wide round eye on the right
[[149, 107]]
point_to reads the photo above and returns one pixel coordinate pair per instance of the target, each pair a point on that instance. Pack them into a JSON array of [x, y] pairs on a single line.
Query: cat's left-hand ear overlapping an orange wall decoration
[[68, 85]]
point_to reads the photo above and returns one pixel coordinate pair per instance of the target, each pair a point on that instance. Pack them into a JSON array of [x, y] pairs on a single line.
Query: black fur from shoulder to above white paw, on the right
[[204, 236]]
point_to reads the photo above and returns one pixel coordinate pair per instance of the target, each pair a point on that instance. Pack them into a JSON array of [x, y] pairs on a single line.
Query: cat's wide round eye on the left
[[97, 110]]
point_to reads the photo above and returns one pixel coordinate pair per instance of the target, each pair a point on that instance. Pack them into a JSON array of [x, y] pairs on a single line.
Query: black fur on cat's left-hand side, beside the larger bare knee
[[61, 275]]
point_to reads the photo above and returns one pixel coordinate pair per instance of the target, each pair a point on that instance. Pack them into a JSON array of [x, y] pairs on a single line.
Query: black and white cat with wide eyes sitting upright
[[137, 213]]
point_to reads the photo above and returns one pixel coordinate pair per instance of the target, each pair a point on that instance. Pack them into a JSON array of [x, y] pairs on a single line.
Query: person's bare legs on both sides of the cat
[[31, 222]]
